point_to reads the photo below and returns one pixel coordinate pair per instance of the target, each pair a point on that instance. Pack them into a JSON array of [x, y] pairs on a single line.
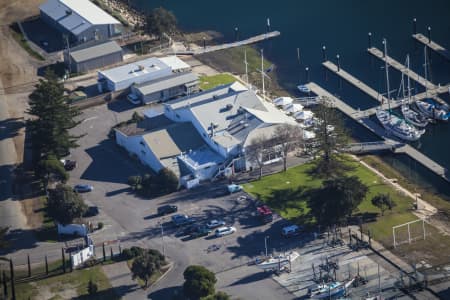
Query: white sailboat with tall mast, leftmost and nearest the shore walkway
[[392, 123]]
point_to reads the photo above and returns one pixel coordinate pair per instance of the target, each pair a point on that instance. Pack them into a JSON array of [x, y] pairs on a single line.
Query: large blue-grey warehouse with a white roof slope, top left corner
[[81, 20]]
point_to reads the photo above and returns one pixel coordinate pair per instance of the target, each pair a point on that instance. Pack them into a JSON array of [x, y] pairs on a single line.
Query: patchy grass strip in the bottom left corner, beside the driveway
[[69, 285]]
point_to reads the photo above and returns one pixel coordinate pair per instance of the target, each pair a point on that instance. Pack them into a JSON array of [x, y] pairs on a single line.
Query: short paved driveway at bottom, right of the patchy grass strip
[[119, 276]]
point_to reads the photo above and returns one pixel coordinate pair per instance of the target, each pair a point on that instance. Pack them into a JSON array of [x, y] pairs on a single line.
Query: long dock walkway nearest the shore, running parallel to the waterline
[[378, 130]]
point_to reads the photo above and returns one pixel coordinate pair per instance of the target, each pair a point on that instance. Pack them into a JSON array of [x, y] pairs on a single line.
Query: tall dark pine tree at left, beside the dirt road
[[53, 118]]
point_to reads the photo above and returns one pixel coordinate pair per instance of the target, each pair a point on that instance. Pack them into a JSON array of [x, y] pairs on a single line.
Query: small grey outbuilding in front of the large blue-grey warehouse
[[91, 56]]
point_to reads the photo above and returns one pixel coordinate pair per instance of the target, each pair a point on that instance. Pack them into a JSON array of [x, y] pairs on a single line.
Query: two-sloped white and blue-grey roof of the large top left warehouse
[[76, 15]]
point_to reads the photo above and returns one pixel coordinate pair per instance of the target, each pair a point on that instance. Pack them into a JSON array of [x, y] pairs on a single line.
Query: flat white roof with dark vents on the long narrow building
[[134, 70]]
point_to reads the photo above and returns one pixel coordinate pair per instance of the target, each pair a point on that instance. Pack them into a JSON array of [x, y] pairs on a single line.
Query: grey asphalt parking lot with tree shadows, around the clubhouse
[[134, 221]]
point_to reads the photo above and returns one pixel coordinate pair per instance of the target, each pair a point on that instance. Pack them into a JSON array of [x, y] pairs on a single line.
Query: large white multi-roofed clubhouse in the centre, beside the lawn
[[201, 134]]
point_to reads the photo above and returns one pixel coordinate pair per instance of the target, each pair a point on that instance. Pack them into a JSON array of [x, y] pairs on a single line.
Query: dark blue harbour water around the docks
[[342, 26]]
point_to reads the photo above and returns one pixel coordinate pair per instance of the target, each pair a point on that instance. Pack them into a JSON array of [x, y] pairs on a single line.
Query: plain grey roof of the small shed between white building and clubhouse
[[166, 83]]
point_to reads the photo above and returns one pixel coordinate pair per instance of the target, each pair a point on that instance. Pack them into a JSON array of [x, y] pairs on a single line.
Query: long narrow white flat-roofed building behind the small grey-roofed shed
[[143, 71]]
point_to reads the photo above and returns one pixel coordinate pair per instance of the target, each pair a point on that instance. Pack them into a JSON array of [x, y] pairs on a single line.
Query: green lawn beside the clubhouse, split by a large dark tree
[[287, 193]]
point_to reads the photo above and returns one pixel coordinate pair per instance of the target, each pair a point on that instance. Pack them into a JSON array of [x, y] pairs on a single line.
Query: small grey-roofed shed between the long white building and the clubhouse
[[166, 88]]
